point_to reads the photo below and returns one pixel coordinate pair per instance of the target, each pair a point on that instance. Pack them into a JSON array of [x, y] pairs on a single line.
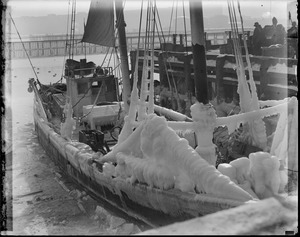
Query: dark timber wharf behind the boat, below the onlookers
[[275, 78]]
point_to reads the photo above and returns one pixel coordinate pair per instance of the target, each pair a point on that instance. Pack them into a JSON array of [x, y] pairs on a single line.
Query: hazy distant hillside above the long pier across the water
[[57, 24]]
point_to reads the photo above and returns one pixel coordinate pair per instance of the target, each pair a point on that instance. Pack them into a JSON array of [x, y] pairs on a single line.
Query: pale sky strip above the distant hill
[[20, 8]]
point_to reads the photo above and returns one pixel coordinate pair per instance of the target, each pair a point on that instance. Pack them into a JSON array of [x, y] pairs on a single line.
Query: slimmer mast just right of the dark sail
[[120, 24]]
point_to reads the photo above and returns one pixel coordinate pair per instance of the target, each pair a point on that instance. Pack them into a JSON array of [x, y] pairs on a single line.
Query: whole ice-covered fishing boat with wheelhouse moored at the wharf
[[151, 171]]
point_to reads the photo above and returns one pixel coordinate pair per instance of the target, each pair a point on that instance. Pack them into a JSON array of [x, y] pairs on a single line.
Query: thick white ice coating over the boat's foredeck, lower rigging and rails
[[154, 154]]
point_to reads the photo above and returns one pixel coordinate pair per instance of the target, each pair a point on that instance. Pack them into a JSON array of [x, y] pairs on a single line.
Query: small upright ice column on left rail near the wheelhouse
[[66, 128]]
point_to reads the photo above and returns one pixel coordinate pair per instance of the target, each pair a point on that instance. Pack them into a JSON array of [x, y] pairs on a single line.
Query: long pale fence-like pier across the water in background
[[56, 45]]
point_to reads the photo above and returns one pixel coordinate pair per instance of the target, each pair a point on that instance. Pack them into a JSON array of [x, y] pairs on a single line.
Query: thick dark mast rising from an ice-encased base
[[198, 47]]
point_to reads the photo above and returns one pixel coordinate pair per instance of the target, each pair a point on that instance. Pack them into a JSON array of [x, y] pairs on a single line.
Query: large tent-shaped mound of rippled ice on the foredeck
[[154, 154]]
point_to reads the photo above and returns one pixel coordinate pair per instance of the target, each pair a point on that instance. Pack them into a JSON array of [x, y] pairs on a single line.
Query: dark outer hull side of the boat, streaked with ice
[[153, 206]]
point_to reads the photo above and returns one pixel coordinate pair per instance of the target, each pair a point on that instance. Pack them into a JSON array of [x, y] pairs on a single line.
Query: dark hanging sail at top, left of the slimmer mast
[[99, 28]]
